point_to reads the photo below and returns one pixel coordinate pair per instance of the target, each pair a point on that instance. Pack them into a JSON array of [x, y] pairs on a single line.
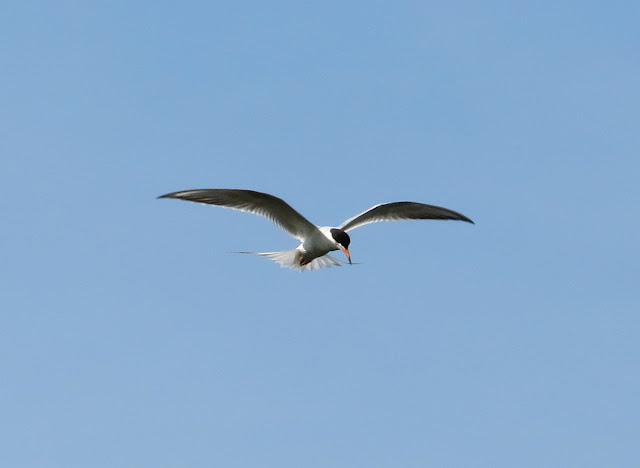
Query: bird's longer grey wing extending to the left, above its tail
[[263, 204]]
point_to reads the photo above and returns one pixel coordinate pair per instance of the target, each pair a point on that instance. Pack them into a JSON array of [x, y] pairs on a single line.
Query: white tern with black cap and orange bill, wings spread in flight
[[316, 241]]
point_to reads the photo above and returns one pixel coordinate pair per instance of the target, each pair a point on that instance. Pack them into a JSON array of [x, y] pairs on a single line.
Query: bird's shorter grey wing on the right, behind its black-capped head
[[401, 210]]
